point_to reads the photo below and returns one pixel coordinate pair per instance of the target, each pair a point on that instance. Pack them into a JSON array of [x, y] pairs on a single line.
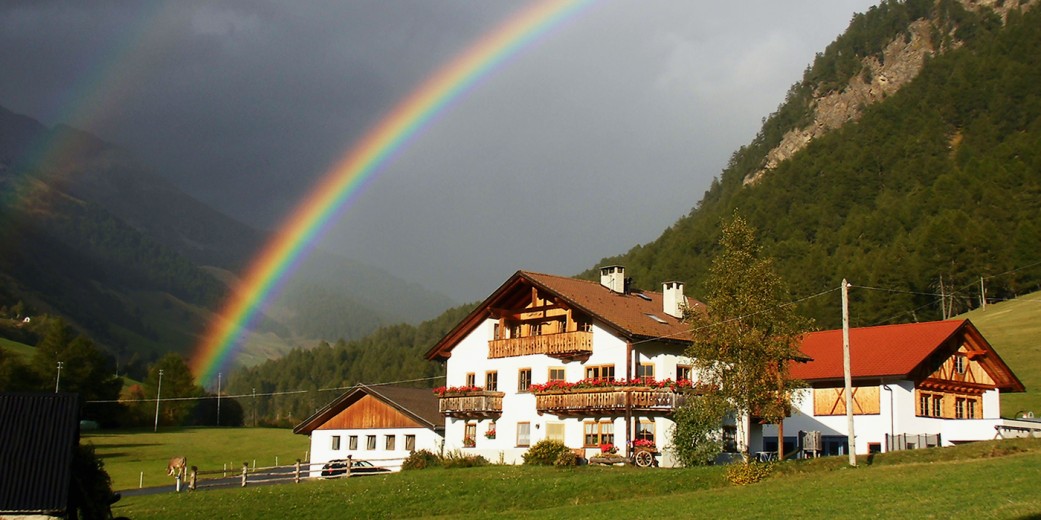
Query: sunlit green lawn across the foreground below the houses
[[987, 480]]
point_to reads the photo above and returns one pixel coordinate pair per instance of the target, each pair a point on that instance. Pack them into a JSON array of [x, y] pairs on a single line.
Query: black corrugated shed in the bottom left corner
[[39, 440]]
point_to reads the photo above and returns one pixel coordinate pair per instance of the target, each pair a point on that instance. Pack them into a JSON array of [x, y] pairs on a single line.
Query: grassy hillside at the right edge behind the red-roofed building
[[1014, 329]]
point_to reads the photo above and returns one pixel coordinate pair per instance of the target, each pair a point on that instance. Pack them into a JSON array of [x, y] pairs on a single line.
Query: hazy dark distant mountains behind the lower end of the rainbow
[[89, 233]]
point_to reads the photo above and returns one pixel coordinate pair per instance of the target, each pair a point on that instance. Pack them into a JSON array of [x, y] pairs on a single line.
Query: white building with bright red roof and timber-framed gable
[[915, 385]]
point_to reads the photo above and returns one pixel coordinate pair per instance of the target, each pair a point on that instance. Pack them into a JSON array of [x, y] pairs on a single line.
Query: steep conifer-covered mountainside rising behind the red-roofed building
[[937, 184]]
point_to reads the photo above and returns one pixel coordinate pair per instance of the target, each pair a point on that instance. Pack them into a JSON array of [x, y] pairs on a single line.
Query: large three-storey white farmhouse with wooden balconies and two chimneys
[[548, 357]]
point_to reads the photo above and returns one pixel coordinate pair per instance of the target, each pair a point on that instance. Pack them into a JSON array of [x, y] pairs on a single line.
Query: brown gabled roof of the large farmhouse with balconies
[[629, 315]]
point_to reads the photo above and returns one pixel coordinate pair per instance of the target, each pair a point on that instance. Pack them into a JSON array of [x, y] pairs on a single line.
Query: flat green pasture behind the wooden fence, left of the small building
[[129, 455]]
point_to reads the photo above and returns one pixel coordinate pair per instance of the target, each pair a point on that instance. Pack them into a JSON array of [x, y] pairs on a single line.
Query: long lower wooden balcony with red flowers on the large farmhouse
[[608, 401]]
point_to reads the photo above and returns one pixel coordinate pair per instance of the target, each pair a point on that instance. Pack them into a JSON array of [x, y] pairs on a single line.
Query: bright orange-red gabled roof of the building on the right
[[896, 351]]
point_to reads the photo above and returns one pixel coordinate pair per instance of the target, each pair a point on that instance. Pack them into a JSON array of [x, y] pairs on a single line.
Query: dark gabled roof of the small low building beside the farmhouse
[[420, 404]]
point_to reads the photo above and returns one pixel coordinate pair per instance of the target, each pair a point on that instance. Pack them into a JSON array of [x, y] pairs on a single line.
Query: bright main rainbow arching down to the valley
[[339, 188]]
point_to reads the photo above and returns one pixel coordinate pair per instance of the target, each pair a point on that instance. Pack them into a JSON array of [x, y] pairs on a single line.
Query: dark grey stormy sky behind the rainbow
[[593, 140]]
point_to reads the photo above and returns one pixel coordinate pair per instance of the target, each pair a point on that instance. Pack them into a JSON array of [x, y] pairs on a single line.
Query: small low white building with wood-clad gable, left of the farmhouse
[[379, 424]]
